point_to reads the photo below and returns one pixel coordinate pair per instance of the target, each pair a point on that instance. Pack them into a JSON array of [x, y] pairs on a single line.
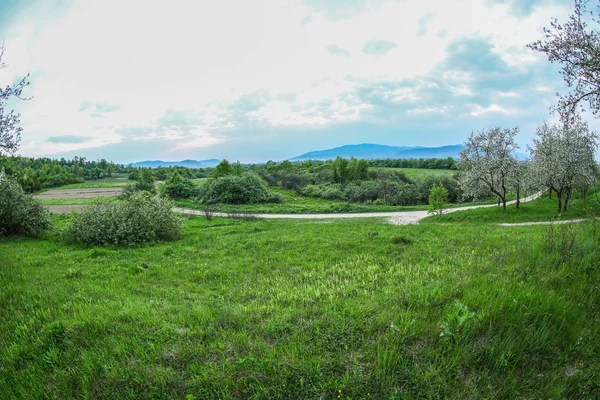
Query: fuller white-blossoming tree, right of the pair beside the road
[[563, 157]]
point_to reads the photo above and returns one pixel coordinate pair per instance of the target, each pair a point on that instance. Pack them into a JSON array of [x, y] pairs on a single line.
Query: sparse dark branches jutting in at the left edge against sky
[[10, 131]]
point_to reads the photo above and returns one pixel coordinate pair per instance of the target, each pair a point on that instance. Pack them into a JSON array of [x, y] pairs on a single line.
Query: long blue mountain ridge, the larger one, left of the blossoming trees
[[378, 151]]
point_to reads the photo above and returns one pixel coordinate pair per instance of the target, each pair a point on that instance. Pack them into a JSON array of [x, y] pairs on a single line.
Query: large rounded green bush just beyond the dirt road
[[245, 189]]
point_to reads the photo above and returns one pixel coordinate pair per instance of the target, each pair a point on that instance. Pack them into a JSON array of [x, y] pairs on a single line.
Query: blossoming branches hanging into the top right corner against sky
[[575, 46]]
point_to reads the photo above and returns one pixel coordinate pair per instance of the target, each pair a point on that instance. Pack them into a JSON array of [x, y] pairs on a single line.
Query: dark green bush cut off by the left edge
[[20, 214]]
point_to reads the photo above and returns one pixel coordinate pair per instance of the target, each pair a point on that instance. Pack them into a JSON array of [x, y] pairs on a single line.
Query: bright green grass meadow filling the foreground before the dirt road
[[283, 309]]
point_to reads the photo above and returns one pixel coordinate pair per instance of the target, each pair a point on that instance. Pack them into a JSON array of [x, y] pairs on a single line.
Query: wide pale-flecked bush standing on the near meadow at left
[[140, 219]]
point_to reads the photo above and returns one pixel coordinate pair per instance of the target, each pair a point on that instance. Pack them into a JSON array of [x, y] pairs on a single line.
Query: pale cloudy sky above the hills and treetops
[[132, 80]]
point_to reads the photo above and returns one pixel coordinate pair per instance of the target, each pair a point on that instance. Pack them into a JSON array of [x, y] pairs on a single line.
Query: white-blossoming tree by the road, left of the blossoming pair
[[488, 161]]
